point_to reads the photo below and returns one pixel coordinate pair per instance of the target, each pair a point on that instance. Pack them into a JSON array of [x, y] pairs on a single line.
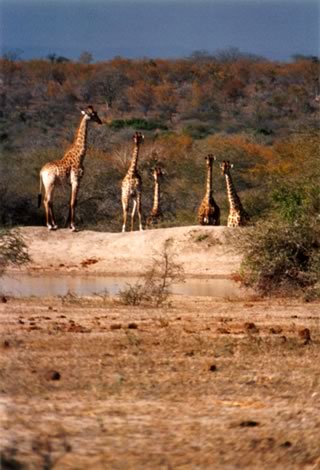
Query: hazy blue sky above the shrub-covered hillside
[[276, 29]]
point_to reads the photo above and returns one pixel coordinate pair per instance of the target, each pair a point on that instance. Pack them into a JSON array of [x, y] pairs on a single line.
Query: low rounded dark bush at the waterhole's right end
[[281, 257]]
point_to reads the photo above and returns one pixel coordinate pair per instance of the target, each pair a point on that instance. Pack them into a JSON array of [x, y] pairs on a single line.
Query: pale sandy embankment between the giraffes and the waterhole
[[202, 251]]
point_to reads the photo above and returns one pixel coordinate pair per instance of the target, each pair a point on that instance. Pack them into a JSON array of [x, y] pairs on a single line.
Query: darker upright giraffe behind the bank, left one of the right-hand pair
[[209, 212]]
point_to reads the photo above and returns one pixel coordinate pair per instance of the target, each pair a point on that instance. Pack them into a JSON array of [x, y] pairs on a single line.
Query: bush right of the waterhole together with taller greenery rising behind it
[[282, 250]]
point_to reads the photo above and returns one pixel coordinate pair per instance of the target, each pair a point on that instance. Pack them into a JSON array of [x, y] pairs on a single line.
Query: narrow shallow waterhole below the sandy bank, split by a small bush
[[26, 285]]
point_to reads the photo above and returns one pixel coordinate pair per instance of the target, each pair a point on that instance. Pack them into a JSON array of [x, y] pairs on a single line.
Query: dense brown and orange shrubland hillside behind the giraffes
[[261, 115]]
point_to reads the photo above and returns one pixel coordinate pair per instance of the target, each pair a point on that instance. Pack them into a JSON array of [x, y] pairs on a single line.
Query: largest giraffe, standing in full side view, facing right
[[70, 167]]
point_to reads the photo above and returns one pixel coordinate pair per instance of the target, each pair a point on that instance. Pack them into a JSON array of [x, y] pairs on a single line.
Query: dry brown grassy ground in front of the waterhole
[[201, 384]]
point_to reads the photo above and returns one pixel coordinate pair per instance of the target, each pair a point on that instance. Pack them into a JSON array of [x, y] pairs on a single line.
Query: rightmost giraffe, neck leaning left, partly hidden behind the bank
[[237, 215]]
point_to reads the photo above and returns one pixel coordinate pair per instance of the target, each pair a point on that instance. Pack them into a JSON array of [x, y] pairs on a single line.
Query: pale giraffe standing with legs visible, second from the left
[[131, 187]]
